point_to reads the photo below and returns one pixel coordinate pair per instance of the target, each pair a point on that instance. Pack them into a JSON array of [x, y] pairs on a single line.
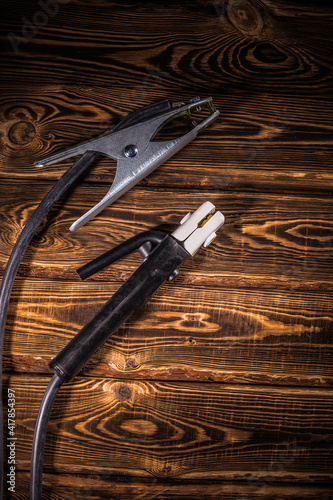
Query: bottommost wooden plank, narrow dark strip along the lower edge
[[70, 486]]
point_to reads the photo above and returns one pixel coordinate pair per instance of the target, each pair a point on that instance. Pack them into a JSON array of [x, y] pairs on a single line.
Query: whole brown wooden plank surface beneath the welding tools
[[220, 387]]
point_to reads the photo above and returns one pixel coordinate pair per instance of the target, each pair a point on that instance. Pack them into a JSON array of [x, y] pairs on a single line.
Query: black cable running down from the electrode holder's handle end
[[36, 469]]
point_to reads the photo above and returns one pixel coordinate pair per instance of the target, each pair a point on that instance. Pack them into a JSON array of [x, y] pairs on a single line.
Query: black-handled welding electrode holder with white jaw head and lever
[[168, 252]]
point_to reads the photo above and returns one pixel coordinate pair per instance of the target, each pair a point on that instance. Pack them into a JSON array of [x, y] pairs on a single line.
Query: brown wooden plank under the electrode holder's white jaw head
[[284, 240]]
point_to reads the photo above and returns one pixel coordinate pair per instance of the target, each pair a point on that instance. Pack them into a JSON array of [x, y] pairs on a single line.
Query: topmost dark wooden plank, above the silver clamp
[[244, 45]]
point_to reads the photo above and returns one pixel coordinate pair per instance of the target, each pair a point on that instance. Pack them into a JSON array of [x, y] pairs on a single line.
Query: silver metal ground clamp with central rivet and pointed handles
[[131, 144]]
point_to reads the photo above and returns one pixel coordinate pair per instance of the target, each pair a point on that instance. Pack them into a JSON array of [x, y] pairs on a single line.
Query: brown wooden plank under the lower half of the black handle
[[183, 333]]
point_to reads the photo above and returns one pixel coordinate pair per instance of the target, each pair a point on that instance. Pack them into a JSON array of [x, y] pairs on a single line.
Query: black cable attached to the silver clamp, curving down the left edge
[[69, 177]]
